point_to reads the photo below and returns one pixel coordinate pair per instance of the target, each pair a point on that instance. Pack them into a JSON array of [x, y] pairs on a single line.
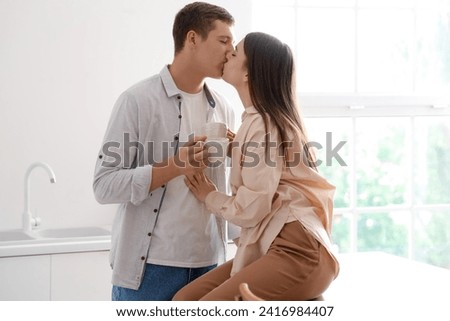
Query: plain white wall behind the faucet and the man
[[63, 63]]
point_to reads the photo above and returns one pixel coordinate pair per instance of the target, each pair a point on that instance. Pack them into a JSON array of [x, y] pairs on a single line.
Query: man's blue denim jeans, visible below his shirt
[[160, 283]]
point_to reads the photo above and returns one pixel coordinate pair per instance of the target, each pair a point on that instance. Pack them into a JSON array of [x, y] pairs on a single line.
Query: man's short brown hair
[[200, 17]]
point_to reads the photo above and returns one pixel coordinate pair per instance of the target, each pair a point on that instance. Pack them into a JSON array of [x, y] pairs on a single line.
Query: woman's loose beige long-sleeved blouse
[[267, 192]]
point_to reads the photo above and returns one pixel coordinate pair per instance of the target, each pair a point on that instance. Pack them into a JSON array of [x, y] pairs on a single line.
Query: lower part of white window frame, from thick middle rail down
[[355, 106]]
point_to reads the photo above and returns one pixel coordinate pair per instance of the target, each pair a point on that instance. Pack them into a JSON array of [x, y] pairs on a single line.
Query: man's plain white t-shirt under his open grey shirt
[[176, 225]]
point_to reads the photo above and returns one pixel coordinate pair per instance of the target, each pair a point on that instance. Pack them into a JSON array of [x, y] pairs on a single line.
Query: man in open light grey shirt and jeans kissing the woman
[[162, 237]]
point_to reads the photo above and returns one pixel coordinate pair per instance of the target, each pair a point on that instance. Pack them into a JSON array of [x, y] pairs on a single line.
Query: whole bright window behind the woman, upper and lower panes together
[[374, 83]]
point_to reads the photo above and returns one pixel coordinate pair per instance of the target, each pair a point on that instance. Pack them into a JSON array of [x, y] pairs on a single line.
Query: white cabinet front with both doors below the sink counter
[[83, 276]]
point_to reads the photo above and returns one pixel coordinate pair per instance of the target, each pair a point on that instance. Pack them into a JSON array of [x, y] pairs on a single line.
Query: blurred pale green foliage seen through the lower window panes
[[383, 180]]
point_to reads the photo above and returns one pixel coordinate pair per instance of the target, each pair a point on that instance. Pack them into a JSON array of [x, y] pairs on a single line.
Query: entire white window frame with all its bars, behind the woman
[[355, 104]]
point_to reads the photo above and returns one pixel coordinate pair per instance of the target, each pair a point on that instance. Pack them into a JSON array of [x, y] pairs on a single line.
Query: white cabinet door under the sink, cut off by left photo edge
[[25, 278]]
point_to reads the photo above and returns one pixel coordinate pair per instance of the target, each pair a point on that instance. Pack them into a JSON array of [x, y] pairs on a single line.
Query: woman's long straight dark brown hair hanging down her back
[[271, 81]]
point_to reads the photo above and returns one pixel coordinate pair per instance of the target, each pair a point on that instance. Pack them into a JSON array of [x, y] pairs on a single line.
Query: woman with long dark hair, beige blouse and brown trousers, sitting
[[283, 206]]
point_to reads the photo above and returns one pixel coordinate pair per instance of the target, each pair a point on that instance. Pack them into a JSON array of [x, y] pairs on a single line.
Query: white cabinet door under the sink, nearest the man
[[81, 277]]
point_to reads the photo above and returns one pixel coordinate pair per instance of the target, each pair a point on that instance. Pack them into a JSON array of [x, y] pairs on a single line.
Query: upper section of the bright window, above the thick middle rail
[[365, 46]]
